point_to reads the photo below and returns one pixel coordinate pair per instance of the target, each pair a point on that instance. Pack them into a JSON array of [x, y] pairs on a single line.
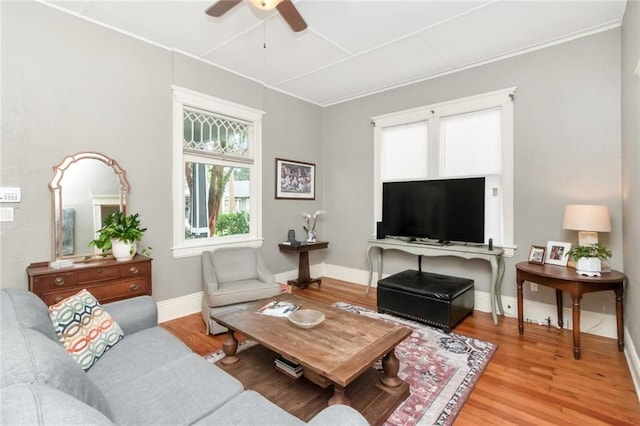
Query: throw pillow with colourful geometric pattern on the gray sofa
[[85, 329]]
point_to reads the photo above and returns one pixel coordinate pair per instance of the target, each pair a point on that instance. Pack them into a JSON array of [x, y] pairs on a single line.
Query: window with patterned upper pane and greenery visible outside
[[216, 173]]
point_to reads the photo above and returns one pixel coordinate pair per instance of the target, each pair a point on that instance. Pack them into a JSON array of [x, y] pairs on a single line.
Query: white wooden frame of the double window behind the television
[[432, 113]]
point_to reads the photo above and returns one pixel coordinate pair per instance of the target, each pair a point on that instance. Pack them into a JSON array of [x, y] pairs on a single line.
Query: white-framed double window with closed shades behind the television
[[462, 138]]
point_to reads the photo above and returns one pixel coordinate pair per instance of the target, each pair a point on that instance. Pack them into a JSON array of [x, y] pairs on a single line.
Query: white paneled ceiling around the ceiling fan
[[352, 48]]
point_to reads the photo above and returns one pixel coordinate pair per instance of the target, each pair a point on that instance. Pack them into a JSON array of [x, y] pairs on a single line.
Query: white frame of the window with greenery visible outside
[[184, 97]]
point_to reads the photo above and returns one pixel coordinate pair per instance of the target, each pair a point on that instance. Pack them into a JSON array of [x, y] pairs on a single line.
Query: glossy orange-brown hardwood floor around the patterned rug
[[531, 380]]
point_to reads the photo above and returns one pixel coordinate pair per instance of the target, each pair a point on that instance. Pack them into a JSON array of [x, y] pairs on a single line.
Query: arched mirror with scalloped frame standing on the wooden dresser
[[85, 188]]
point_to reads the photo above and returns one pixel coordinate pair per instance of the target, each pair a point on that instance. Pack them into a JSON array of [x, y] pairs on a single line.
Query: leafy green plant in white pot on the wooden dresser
[[121, 234]]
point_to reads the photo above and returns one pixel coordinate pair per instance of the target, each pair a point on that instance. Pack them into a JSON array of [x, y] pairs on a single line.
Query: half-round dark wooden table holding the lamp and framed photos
[[567, 279]]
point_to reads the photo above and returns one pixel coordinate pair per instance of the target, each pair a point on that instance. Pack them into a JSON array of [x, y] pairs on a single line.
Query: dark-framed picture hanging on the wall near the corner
[[295, 180]]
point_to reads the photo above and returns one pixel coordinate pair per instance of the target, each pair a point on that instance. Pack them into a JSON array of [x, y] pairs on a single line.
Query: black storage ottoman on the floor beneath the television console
[[438, 300]]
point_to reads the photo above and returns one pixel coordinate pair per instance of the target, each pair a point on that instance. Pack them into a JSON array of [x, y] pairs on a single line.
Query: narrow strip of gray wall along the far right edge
[[631, 164]]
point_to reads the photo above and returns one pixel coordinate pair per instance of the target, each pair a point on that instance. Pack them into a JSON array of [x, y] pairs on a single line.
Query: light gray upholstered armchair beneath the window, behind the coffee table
[[232, 276]]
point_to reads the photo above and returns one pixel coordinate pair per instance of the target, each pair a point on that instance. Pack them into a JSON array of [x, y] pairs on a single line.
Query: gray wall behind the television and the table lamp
[[567, 125]]
